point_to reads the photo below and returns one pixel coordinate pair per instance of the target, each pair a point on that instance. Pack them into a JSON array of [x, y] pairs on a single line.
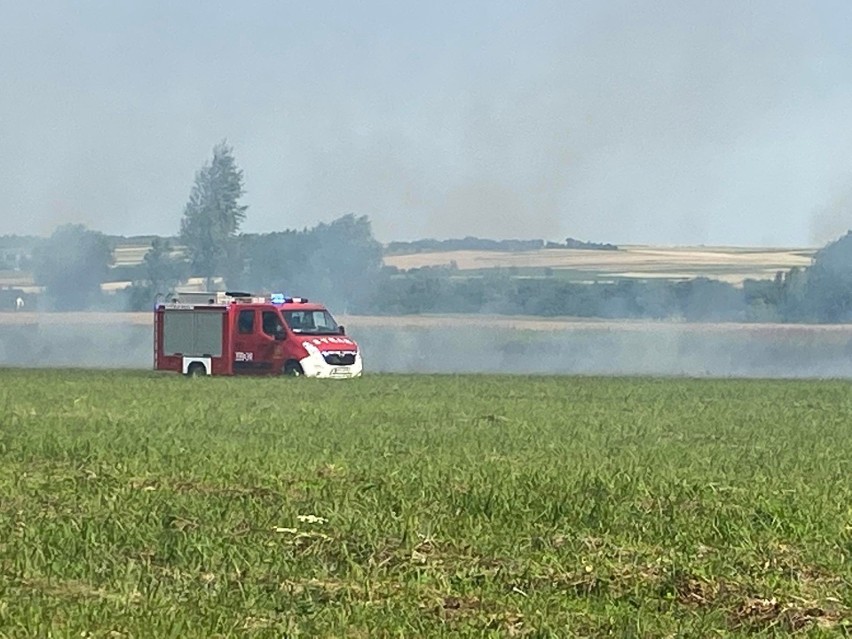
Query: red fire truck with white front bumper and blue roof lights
[[235, 333]]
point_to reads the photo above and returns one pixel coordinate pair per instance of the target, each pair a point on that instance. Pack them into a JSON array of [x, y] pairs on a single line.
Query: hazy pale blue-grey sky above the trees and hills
[[674, 122]]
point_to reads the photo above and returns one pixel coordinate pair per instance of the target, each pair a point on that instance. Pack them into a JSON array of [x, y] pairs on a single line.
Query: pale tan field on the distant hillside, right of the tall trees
[[723, 263]]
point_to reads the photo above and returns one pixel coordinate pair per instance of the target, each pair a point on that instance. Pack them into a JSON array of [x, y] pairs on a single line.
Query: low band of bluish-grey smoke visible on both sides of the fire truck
[[599, 348]]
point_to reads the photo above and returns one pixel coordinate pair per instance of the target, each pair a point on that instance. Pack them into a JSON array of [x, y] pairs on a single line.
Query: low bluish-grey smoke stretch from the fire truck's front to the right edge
[[613, 348]]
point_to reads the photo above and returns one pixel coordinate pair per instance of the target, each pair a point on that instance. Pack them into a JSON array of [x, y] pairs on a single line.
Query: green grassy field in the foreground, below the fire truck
[[144, 505]]
